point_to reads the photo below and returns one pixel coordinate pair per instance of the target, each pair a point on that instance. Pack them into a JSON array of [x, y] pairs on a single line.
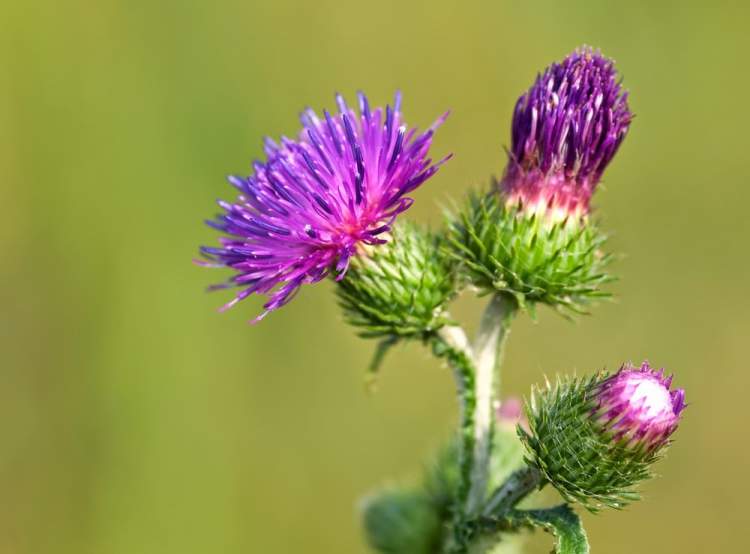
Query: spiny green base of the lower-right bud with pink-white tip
[[580, 460]]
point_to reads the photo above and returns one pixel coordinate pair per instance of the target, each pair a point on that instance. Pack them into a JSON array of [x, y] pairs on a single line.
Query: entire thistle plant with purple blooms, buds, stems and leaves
[[326, 204]]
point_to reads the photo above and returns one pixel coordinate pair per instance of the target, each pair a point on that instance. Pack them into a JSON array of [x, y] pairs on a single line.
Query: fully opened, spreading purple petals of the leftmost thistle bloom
[[310, 206]]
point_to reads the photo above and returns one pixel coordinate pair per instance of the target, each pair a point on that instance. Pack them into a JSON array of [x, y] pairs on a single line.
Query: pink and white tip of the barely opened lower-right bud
[[637, 407]]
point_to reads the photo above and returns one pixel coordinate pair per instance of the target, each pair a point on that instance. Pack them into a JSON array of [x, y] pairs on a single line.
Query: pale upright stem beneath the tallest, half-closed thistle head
[[488, 350]]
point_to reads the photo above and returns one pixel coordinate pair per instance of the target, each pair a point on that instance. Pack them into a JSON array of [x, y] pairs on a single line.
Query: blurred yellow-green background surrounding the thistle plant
[[135, 419]]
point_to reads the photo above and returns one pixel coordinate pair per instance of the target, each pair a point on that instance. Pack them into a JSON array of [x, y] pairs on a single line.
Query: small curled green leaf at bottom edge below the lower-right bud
[[561, 521]]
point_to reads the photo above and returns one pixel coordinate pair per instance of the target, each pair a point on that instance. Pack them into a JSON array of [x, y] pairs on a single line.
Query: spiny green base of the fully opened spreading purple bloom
[[399, 289]]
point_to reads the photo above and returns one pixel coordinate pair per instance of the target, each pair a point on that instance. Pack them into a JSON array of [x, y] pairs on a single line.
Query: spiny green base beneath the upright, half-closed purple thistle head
[[501, 249]]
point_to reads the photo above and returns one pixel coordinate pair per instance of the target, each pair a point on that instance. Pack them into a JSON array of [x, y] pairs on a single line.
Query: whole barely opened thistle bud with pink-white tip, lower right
[[595, 439]]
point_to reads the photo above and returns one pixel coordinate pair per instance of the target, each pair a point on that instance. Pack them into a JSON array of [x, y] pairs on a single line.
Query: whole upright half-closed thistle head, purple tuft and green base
[[530, 236]]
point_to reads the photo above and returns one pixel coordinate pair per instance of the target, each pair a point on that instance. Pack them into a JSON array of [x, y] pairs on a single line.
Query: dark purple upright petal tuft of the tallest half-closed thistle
[[566, 129]]
